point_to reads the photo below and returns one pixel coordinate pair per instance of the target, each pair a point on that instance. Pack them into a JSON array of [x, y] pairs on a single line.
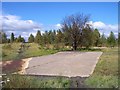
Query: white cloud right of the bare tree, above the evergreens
[[105, 28]]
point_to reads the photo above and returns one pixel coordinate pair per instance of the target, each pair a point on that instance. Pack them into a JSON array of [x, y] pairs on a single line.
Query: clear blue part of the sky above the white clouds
[[51, 13]]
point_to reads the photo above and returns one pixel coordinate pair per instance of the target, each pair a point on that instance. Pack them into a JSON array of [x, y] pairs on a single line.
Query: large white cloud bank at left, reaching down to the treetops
[[12, 23]]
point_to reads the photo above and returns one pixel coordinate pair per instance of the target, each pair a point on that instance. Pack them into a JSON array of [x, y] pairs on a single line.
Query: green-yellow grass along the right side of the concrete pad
[[106, 72]]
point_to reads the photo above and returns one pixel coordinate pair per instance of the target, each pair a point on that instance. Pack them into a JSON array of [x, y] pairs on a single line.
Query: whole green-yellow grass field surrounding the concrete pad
[[105, 74]]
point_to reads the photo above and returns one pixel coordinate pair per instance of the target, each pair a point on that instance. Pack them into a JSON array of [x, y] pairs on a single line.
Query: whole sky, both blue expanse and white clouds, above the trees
[[24, 18]]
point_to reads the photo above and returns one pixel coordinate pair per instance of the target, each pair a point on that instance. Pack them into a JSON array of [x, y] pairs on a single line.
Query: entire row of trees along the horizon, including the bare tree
[[75, 32]]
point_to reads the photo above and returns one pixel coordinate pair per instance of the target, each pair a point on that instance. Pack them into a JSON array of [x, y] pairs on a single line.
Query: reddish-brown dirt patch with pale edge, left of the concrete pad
[[16, 66]]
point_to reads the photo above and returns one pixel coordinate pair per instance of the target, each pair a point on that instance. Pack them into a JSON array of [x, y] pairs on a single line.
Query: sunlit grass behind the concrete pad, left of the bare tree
[[10, 51]]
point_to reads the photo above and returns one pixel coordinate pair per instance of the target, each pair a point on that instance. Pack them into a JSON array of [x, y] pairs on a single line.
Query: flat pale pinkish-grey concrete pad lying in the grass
[[70, 64]]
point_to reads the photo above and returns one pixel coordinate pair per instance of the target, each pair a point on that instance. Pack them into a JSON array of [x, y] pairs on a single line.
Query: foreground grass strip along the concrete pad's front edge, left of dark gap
[[17, 81]]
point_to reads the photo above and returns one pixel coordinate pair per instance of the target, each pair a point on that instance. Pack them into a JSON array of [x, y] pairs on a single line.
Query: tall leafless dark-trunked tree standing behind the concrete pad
[[73, 25]]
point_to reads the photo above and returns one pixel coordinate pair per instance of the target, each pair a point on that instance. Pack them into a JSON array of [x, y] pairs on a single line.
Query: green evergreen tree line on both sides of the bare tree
[[89, 38]]
